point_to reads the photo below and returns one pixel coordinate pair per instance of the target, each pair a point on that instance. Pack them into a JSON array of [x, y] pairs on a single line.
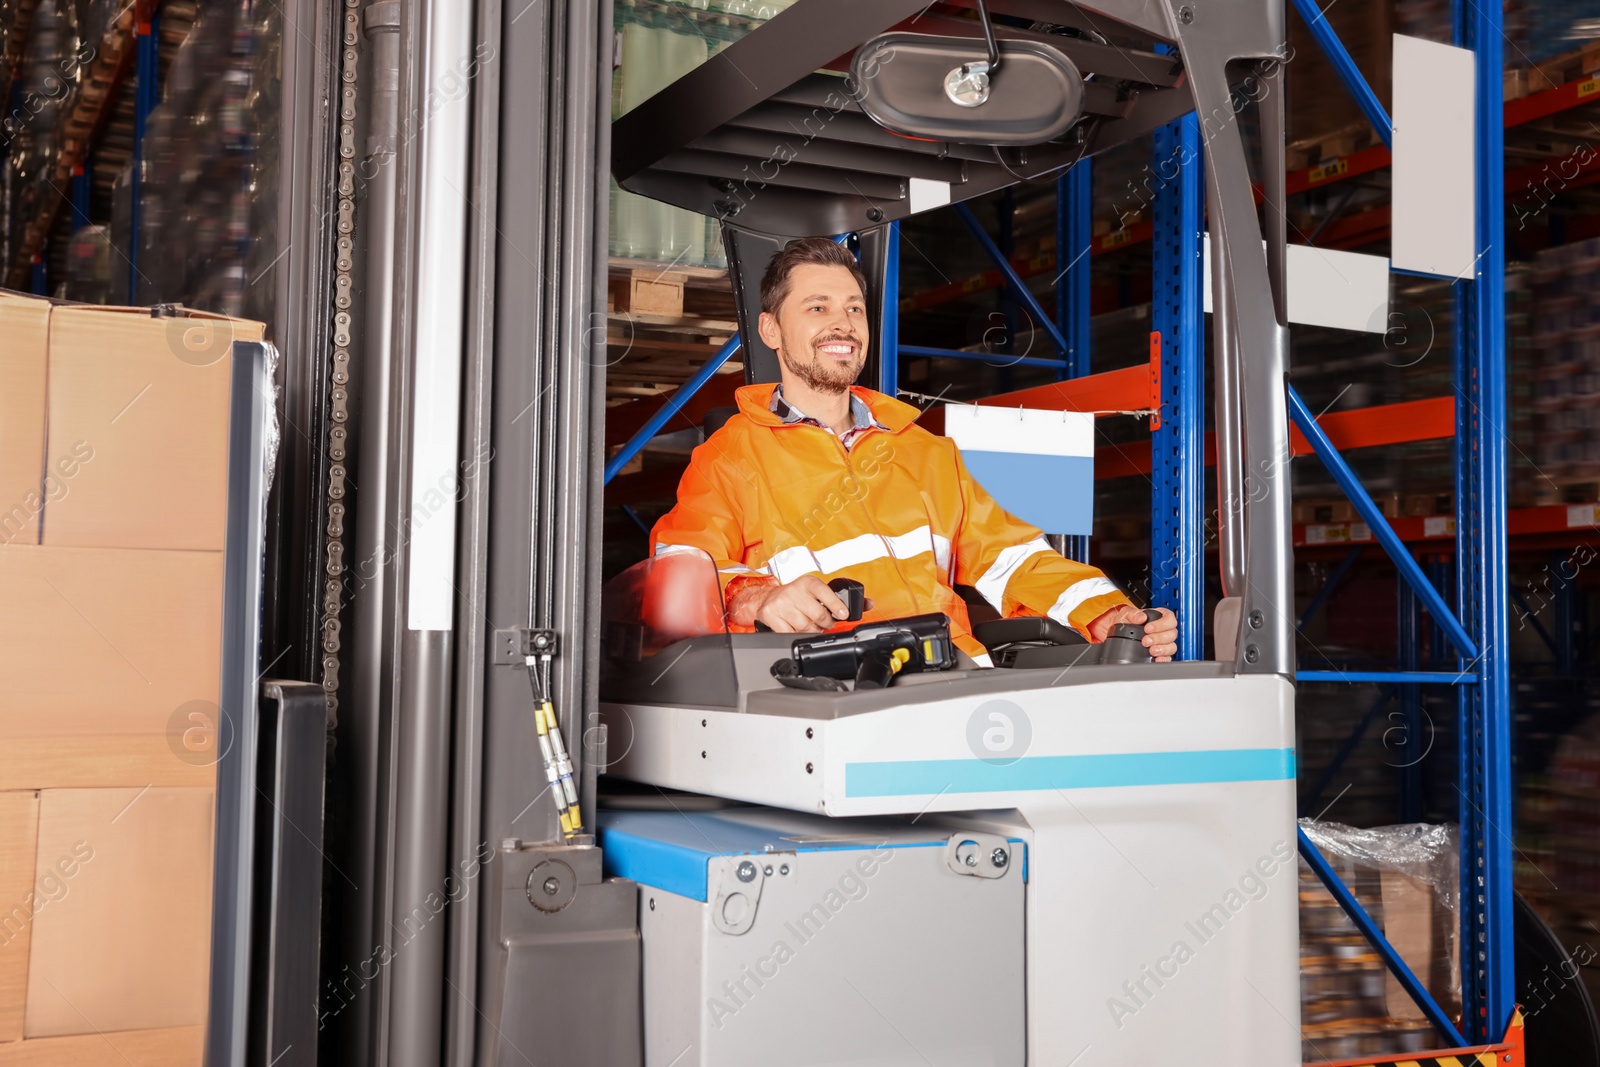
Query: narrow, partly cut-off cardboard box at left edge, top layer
[[25, 326]]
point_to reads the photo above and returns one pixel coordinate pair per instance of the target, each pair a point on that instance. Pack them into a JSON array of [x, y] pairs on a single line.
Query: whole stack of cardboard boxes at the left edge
[[113, 518]]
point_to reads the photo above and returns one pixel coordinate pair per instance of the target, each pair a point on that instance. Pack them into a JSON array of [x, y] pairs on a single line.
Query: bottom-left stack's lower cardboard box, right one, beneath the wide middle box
[[124, 938]]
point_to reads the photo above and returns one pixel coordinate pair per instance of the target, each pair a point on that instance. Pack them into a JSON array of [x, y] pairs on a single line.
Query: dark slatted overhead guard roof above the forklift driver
[[756, 137]]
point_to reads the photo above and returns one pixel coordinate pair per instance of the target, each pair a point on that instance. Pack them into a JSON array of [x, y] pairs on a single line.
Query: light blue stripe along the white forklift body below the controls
[[927, 778]]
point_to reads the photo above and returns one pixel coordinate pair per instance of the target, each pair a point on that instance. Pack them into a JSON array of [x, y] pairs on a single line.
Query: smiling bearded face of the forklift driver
[[822, 329]]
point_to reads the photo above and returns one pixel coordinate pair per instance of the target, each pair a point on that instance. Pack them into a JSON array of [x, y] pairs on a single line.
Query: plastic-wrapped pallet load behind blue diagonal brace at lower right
[[1406, 877]]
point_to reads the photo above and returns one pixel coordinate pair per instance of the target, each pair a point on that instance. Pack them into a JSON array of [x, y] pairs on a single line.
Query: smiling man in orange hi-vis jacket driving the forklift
[[818, 479]]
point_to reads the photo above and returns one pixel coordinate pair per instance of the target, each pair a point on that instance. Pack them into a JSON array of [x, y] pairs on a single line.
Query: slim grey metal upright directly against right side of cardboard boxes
[[250, 406]]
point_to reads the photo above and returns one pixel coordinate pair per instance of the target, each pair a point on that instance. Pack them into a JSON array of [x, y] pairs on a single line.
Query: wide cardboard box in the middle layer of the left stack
[[108, 641]]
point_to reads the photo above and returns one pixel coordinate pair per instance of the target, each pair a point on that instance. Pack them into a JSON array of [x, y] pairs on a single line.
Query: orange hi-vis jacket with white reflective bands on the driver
[[898, 513]]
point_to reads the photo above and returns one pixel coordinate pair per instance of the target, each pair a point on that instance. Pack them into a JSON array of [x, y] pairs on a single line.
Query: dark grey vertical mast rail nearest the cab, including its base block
[[537, 361]]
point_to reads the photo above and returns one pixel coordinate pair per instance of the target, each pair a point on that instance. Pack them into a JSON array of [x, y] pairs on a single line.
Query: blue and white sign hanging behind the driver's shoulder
[[1038, 465]]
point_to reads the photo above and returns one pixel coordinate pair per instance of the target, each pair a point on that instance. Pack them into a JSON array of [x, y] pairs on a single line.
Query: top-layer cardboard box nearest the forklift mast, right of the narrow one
[[138, 428]]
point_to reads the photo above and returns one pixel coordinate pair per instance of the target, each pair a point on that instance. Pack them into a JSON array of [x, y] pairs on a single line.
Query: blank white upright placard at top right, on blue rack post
[[1434, 161]]
